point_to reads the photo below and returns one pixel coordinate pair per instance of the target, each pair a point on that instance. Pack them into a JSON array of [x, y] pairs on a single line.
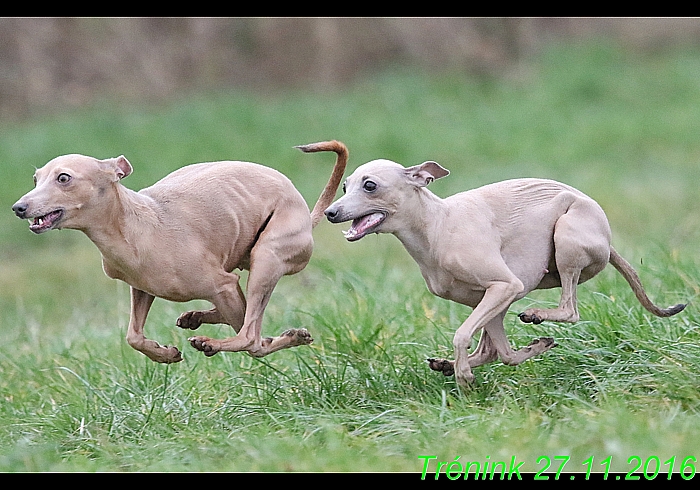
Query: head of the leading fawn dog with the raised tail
[[66, 186]]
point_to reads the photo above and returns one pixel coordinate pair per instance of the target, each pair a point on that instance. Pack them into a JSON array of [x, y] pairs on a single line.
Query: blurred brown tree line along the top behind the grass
[[58, 62]]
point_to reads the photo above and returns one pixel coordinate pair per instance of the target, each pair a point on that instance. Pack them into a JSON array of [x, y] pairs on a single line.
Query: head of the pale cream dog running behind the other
[[377, 192]]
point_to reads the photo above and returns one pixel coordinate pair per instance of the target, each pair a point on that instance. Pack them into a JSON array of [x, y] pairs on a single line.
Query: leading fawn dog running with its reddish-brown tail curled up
[[181, 238]]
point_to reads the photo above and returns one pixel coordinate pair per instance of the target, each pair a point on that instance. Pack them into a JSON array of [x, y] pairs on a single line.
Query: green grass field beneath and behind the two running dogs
[[622, 127]]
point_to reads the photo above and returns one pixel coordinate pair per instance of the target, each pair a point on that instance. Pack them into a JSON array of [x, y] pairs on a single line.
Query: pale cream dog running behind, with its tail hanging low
[[487, 248]]
